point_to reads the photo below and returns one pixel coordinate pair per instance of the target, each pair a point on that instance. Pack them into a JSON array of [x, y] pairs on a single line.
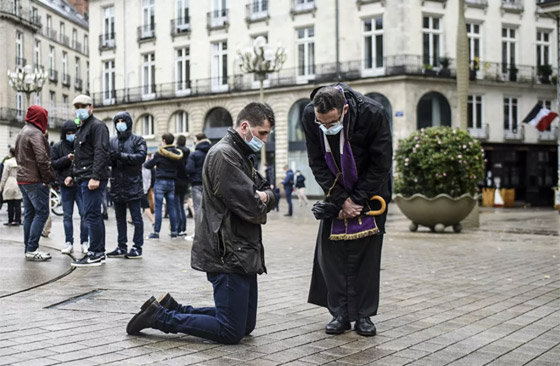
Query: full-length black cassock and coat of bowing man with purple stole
[[345, 276]]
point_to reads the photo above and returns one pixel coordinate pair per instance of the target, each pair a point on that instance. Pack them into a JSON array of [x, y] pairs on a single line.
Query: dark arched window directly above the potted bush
[[433, 110]]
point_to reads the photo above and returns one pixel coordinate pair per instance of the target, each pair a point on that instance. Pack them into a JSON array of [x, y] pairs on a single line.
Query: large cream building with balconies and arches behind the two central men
[[173, 65]]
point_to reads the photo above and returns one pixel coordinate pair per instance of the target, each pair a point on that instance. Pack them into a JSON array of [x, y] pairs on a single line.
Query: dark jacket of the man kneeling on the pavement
[[228, 235]]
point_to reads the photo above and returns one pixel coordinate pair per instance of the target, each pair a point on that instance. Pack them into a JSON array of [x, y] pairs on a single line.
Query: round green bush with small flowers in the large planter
[[439, 160]]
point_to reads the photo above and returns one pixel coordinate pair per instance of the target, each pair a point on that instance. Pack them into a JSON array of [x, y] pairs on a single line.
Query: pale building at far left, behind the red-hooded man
[[48, 35]]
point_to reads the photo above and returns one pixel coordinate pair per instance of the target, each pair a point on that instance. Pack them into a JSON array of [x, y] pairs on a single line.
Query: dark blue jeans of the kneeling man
[[233, 317]]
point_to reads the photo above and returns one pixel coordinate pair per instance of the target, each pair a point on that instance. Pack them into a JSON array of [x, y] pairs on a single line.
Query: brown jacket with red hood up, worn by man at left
[[33, 150]]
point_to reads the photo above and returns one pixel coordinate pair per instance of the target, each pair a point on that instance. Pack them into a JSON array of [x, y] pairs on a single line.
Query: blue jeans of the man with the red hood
[[35, 213]]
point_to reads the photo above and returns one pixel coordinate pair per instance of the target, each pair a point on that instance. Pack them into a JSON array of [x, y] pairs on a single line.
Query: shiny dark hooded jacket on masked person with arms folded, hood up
[[128, 153]]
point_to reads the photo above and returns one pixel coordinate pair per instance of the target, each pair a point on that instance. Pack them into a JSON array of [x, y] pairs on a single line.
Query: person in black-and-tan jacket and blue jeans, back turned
[[166, 161]]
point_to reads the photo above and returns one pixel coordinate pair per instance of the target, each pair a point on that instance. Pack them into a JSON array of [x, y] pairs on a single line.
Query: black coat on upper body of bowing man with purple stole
[[371, 142]]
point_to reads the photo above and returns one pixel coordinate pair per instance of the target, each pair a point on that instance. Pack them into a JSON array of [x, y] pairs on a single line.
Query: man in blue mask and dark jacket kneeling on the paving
[[228, 245]]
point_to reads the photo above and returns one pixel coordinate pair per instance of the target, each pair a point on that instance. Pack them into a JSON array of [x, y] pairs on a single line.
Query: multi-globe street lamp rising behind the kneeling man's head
[[261, 61]]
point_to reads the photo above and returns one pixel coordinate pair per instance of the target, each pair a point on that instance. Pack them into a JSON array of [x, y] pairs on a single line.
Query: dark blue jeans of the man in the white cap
[[92, 213]]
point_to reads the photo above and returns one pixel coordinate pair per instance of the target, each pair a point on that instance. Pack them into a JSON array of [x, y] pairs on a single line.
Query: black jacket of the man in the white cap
[[91, 149]]
